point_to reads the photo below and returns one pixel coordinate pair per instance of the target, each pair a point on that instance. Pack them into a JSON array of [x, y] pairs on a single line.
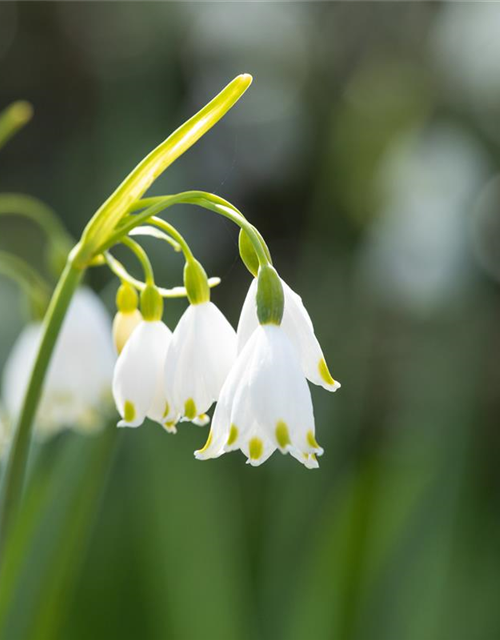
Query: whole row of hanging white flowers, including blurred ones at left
[[257, 374]]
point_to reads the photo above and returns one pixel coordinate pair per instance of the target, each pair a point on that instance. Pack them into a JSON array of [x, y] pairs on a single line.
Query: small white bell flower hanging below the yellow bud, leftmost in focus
[[138, 378]]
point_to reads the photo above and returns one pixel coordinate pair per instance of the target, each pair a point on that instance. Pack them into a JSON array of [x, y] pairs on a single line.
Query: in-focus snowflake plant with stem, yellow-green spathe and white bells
[[257, 376]]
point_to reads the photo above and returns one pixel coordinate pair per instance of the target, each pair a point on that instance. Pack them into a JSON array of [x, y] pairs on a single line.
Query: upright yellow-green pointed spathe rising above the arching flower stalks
[[105, 220]]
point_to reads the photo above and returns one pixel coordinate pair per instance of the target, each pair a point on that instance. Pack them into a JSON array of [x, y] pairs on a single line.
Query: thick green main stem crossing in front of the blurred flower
[[13, 479]]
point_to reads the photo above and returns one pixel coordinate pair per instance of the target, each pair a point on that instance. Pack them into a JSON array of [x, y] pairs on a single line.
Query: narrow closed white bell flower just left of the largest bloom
[[199, 358]]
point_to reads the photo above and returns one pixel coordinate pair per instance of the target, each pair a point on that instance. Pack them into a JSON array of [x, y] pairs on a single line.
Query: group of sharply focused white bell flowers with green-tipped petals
[[257, 375]]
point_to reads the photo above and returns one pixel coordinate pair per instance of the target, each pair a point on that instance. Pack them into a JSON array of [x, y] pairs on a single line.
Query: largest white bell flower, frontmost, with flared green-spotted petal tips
[[265, 404]]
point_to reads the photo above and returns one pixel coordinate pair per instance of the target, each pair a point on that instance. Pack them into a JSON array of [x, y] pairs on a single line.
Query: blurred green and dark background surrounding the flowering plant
[[367, 154]]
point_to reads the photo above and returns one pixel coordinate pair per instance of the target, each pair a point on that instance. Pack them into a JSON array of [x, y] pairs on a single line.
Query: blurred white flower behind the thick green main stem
[[77, 387]]
